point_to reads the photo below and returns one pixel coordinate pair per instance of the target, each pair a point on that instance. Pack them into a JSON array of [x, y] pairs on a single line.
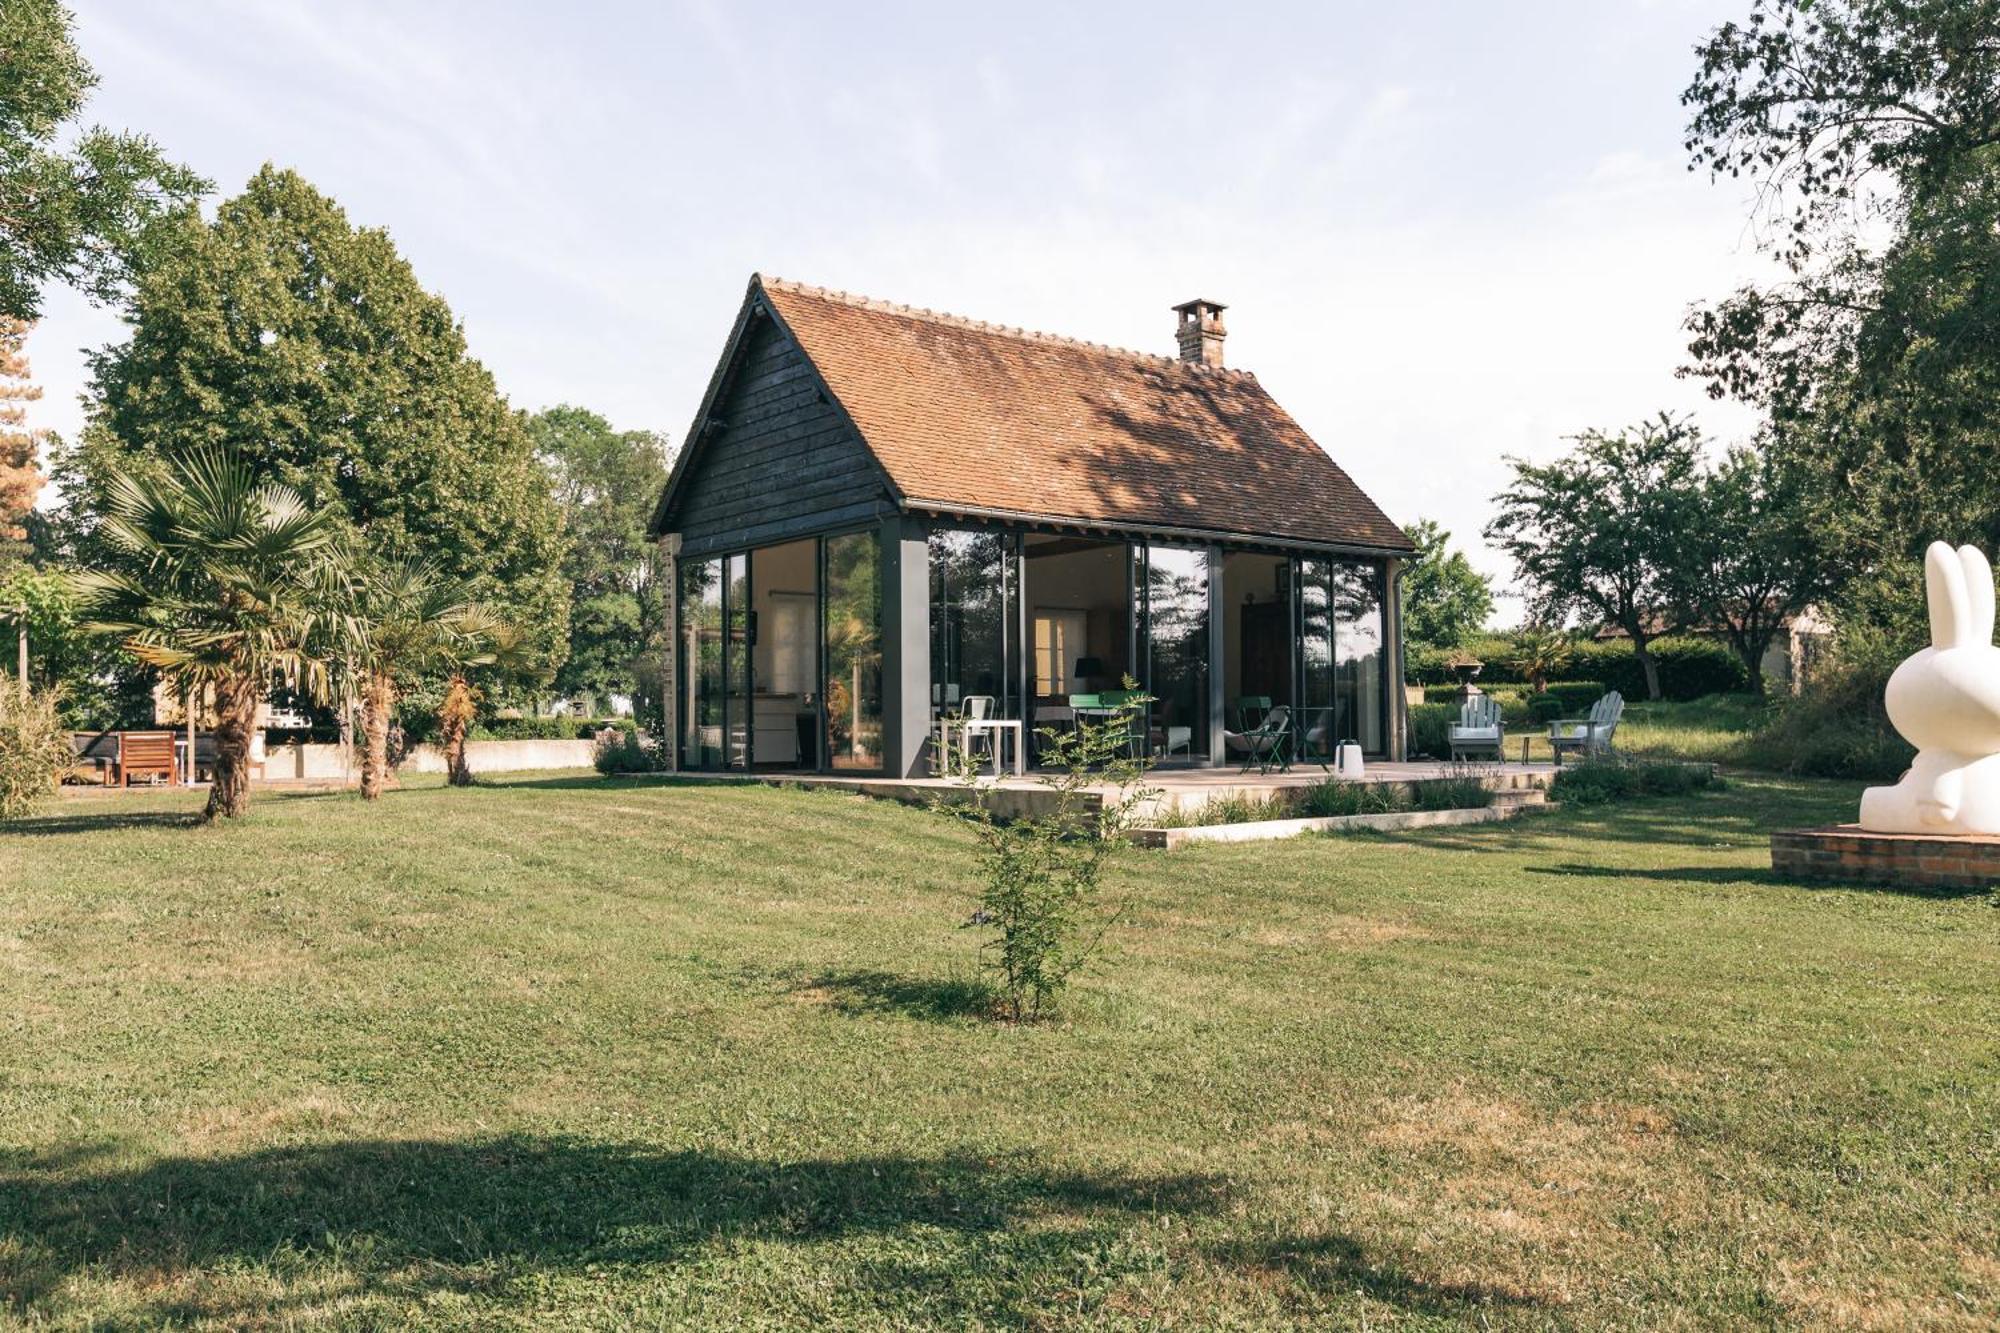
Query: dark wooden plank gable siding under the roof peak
[[781, 459]]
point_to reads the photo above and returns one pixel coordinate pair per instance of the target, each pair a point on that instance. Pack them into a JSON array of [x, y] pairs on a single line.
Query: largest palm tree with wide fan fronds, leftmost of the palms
[[231, 587]]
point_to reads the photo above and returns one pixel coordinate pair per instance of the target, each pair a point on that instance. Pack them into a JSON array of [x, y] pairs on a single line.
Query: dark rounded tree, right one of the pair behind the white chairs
[[1753, 555]]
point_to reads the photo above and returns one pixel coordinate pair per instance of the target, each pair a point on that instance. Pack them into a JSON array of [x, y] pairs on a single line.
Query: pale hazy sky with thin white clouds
[[1447, 233]]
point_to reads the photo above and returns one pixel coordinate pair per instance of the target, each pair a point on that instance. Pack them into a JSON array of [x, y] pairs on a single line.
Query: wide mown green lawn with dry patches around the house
[[621, 1054]]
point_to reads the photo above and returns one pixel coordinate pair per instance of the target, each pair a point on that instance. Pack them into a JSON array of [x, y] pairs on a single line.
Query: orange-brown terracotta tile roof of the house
[[979, 417]]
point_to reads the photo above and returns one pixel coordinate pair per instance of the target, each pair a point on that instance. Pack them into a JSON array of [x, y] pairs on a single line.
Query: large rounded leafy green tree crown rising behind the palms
[[309, 351]]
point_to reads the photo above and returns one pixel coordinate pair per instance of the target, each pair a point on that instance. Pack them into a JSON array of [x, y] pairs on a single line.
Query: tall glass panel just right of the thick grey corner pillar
[[973, 619]]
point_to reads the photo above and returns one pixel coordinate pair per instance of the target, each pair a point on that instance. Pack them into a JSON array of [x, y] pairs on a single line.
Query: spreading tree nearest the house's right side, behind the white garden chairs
[[1601, 531]]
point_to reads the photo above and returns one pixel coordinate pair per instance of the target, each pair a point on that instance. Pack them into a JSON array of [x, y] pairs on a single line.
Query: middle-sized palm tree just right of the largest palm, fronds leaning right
[[411, 619]]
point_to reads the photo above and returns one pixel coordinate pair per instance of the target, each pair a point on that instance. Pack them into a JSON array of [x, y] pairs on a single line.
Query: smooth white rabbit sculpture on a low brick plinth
[[1947, 704]]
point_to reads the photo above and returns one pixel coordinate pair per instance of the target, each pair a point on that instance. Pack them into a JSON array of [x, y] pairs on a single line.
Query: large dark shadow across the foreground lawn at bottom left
[[405, 1218]]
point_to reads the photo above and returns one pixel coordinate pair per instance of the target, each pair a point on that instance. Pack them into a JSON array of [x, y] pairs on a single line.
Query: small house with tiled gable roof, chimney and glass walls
[[883, 513]]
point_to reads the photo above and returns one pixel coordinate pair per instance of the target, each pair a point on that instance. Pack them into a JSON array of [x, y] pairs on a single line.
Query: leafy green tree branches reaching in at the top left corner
[[87, 215]]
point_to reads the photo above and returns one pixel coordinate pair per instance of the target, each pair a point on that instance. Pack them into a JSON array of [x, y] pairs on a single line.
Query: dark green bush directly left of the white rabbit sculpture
[[1835, 728]]
